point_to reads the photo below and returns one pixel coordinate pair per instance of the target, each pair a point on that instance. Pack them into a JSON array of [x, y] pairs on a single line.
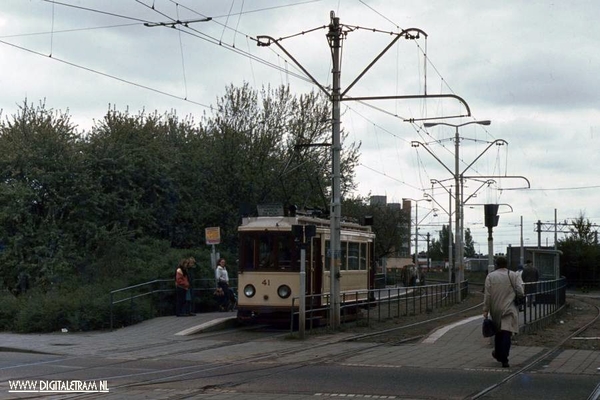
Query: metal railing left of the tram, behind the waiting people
[[203, 290]]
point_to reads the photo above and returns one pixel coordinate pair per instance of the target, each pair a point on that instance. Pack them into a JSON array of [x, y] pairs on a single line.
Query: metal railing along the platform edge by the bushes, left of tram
[[202, 289]]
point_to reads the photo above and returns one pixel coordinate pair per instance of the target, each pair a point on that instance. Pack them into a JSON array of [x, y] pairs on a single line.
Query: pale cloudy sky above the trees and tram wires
[[531, 68]]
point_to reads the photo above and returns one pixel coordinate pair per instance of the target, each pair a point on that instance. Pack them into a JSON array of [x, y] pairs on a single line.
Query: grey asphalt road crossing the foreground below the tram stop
[[170, 377]]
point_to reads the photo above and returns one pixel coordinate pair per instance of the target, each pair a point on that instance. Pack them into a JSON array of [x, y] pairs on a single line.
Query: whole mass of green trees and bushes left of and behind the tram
[[83, 213]]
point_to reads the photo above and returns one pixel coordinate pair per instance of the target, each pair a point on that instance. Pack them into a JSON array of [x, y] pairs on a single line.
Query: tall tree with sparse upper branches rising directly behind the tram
[[268, 151]]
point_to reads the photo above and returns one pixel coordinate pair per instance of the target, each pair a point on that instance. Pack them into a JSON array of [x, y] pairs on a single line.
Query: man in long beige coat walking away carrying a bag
[[498, 302]]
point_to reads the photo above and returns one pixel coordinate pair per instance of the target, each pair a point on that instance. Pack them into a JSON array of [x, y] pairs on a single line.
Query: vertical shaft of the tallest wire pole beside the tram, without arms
[[334, 38]]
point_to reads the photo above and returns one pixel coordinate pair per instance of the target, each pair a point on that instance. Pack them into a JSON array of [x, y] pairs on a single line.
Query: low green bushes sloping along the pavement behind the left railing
[[82, 302]]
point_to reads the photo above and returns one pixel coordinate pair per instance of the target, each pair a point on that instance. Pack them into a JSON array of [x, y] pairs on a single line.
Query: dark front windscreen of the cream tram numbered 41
[[269, 251]]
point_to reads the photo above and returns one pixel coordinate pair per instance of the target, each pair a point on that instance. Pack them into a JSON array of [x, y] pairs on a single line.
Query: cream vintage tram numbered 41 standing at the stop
[[270, 262]]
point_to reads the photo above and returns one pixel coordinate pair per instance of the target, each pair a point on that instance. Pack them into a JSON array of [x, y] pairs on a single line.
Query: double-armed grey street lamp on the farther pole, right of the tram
[[458, 182]]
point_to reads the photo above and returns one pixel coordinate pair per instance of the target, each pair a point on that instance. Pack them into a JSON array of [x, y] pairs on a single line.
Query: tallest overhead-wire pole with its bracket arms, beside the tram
[[335, 35]]
